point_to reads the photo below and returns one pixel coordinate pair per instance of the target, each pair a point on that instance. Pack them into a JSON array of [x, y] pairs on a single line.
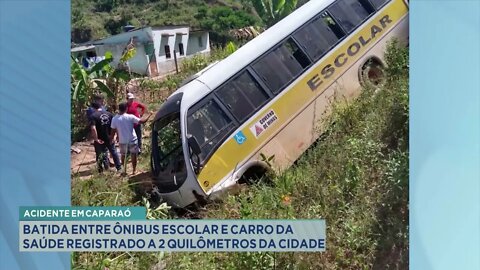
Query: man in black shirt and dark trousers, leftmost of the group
[[100, 126]]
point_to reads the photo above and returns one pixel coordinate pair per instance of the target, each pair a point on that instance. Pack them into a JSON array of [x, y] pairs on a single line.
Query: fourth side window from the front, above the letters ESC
[[318, 36]]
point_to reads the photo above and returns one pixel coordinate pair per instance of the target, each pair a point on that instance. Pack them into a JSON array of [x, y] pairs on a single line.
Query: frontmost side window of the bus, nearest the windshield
[[209, 124]]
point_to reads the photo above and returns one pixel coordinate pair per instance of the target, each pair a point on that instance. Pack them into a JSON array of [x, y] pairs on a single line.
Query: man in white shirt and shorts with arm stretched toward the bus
[[122, 125]]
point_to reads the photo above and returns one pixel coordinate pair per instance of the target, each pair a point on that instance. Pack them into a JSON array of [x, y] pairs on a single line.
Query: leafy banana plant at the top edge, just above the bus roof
[[272, 11]]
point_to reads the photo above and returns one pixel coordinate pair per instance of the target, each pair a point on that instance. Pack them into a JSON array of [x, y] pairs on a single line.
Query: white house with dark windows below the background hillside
[[156, 48]]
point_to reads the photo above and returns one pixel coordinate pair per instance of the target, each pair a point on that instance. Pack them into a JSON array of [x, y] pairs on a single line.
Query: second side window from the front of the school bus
[[242, 96]]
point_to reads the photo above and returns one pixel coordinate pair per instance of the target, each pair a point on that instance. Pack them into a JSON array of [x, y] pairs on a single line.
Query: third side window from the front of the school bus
[[280, 66]]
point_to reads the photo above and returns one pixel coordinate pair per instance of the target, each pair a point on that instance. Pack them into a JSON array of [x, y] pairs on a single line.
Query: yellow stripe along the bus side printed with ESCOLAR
[[302, 92]]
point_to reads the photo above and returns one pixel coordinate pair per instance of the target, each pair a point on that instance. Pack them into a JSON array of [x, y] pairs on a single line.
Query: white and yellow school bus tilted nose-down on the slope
[[267, 98]]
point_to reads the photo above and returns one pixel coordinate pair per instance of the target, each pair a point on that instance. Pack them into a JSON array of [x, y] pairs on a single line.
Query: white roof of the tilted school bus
[[223, 70]]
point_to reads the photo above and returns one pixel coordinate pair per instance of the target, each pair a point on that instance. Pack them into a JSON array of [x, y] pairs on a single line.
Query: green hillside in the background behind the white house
[[95, 19]]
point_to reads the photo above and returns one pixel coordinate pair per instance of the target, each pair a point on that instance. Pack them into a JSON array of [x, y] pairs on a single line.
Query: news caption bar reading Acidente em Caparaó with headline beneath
[[67, 229]]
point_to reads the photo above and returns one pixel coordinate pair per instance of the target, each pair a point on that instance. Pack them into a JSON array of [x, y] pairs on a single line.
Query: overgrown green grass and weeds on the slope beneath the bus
[[356, 177]]
